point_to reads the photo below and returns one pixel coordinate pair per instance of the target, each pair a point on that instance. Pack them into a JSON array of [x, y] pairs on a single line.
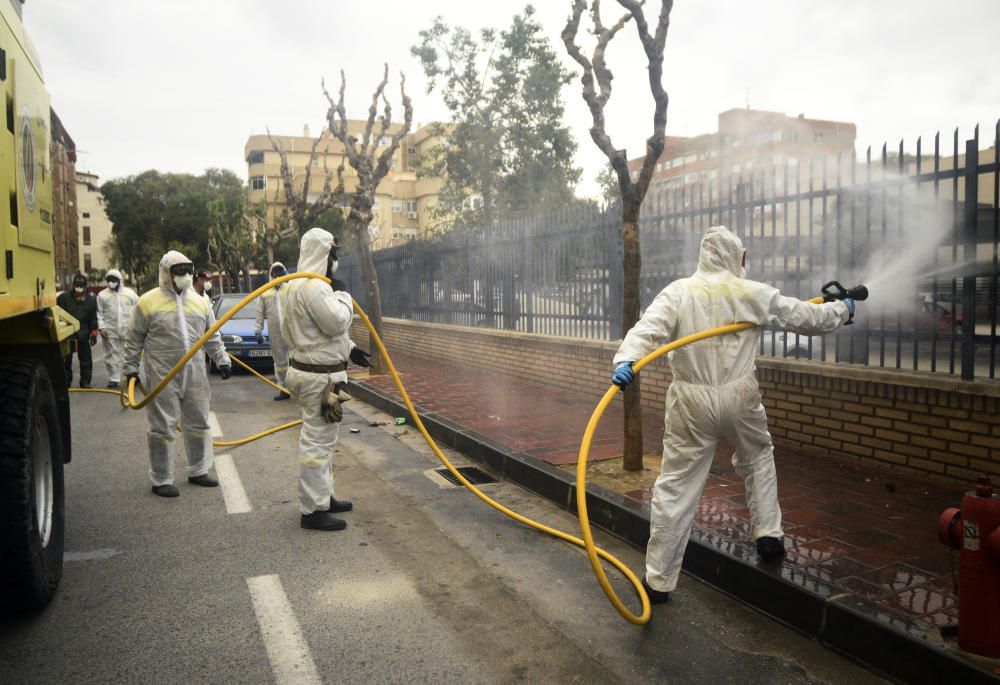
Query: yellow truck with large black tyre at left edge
[[34, 398]]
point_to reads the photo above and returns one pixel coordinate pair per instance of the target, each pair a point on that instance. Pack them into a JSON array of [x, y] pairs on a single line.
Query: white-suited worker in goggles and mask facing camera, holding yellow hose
[[165, 324]]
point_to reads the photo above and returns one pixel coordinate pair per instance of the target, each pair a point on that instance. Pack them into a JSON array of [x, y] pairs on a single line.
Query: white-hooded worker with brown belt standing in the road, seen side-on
[[314, 324]]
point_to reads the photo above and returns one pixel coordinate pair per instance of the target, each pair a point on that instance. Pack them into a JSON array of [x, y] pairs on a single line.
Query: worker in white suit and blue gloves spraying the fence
[[714, 394]]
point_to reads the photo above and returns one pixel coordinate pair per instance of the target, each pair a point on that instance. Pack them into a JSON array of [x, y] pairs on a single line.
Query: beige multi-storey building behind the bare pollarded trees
[[403, 203]]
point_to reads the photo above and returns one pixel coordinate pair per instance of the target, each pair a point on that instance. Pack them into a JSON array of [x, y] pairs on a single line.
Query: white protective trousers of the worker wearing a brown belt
[[317, 438]]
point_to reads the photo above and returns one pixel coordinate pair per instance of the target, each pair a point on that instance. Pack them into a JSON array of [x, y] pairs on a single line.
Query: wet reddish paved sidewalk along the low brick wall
[[851, 533]]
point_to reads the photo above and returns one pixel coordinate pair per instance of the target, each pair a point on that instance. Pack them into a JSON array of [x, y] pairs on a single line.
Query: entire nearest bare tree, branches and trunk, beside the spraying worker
[[596, 73]]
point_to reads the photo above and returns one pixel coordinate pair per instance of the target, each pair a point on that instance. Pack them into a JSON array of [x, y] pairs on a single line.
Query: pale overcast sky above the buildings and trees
[[178, 85]]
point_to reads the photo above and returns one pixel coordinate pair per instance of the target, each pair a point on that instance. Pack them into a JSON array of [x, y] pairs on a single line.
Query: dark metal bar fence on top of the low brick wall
[[922, 230]]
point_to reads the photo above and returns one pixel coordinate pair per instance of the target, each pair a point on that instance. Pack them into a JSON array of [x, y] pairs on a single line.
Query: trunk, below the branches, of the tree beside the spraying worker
[[632, 266]]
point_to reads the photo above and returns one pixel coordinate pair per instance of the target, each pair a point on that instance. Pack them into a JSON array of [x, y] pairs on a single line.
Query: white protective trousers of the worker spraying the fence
[[696, 417]]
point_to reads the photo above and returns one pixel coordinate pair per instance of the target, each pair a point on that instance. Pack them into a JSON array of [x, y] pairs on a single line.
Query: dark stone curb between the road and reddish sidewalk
[[846, 623]]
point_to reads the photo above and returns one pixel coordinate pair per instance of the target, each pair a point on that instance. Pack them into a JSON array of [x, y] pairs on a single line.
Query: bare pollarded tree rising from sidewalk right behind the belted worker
[[371, 160]]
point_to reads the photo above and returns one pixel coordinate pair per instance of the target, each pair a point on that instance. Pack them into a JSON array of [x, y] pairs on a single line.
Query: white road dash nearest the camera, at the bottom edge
[[287, 650]]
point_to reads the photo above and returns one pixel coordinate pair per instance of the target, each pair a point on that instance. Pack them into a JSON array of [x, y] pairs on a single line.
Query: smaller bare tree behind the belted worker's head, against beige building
[[302, 213]]
